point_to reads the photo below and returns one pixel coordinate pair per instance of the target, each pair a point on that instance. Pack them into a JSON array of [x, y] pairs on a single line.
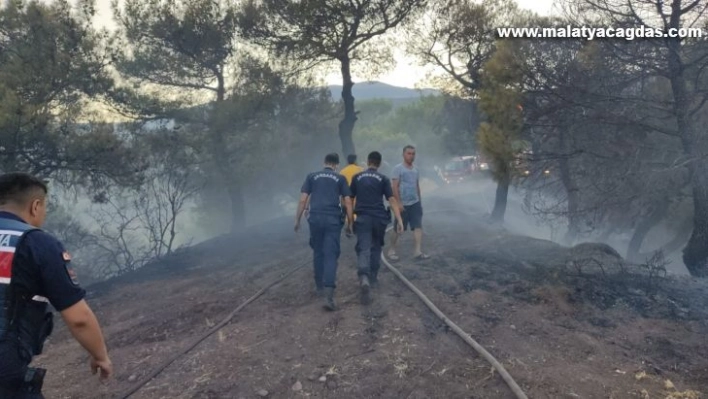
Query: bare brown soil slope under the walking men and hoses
[[561, 330]]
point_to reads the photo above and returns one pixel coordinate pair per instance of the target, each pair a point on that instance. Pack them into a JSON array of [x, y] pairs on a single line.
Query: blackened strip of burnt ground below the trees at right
[[648, 295]]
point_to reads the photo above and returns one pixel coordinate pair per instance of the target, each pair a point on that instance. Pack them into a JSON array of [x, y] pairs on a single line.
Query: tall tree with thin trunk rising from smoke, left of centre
[[185, 45]]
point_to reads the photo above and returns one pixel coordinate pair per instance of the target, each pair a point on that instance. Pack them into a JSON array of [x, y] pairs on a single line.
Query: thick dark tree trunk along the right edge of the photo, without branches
[[695, 254]]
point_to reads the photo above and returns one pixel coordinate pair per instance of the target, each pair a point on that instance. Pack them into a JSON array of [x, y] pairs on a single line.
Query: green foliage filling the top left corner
[[51, 66]]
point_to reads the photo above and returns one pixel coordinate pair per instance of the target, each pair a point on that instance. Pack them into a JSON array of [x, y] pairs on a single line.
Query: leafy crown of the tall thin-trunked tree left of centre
[[177, 44]]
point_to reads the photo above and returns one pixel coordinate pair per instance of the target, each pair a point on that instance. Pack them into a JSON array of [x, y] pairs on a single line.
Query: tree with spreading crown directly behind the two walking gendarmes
[[321, 31]]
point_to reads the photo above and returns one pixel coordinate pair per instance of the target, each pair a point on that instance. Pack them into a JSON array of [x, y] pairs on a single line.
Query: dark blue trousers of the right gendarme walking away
[[370, 233]]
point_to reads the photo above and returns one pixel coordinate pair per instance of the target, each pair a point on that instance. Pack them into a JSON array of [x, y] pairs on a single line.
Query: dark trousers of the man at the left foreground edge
[[13, 369]]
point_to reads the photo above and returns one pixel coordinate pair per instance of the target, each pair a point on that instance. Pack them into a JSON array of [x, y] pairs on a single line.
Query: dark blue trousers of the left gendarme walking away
[[325, 236]]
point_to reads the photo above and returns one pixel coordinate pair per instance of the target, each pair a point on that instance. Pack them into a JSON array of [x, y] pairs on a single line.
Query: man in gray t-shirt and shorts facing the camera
[[405, 181]]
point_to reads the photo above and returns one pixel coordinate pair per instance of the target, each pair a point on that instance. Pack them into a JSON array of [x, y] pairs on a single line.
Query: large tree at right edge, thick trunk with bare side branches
[[681, 64]]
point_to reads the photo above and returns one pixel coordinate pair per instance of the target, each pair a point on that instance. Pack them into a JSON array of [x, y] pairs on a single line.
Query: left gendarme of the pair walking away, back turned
[[326, 190]]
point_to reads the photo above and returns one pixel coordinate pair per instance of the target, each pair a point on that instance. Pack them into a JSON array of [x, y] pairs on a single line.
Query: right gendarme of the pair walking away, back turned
[[369, 188]]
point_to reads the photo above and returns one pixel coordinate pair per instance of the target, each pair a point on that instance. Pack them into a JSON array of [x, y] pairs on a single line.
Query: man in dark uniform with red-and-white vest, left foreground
[[35, 272]]
